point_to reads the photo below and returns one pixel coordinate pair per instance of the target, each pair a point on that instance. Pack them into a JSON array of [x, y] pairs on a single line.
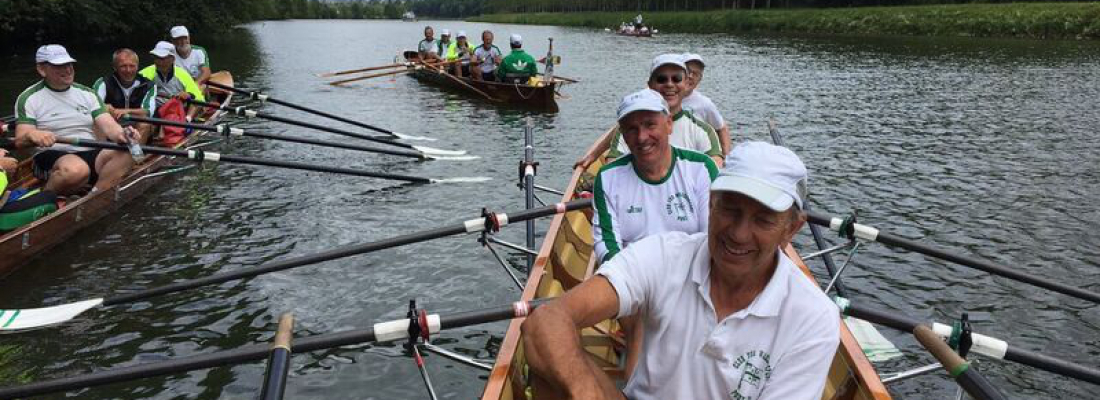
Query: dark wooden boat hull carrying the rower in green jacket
[[542, 96]]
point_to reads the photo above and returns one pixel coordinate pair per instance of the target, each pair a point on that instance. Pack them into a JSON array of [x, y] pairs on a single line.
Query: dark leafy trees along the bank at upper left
[[29, 24]]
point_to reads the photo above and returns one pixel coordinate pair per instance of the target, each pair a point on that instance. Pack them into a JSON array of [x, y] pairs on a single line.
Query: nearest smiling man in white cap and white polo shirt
[[727, 314]]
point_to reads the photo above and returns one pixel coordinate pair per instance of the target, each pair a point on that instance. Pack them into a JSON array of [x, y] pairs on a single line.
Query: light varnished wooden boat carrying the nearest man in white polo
[[566, 260]]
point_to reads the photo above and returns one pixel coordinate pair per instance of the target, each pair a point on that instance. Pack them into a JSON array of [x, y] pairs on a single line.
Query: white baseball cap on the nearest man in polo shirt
[[773, 175]]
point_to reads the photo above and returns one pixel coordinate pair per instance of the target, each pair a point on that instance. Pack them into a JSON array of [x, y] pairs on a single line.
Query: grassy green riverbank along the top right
[[1062, 21]]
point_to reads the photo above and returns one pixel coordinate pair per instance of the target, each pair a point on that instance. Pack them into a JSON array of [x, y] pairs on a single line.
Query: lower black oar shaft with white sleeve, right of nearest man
[[1006, 352]]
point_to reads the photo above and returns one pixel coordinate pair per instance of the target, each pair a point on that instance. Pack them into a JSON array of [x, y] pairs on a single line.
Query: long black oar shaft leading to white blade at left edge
[[468, 227]]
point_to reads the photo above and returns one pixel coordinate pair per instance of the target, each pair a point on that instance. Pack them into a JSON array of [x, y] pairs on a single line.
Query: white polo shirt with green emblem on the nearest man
[[780, 348]]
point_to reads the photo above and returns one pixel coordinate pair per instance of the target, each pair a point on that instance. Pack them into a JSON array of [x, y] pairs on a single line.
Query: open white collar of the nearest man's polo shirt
[[766, 305]]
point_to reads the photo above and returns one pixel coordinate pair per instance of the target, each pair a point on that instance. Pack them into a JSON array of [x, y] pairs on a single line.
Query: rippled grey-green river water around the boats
[[983, 147]]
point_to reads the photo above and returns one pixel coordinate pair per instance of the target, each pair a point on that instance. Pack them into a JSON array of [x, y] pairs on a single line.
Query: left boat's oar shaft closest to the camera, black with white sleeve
[[210, 157]]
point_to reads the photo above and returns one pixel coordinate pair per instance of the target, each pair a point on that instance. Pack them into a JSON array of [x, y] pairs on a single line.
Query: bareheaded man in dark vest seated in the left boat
[[125, 93]]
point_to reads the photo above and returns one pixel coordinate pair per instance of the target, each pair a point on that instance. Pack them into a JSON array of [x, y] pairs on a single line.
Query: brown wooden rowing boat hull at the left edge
[[20, 247]]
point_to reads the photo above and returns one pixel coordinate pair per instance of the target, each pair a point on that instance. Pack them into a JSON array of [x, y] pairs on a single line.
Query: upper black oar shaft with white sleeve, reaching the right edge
[[892, 240]]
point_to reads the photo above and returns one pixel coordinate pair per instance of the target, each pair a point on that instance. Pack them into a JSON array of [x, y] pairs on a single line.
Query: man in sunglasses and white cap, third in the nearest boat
[[668, 76]]
